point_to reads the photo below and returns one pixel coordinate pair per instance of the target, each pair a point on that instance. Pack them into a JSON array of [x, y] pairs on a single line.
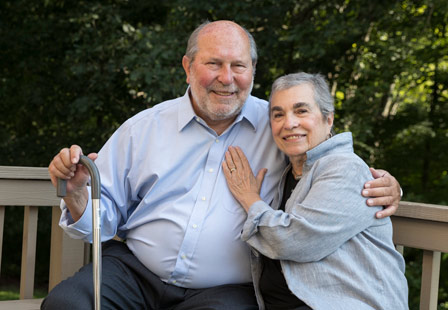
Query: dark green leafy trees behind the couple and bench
[[73, 71]]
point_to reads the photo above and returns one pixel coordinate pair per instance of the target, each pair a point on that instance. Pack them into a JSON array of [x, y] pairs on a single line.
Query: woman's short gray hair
[[321, 89]]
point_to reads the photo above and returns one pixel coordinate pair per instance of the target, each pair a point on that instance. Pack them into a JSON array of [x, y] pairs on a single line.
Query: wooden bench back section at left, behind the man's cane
[[30, 187]]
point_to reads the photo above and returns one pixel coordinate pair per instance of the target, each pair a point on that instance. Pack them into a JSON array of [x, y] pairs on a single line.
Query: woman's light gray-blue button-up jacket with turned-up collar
[[334, 253]]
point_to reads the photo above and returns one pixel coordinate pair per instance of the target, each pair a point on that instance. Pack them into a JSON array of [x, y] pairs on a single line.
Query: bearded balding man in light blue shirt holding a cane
[[164, 192]]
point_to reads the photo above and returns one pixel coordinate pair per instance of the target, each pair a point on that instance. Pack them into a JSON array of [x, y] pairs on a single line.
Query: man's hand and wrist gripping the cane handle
[[65, 166]]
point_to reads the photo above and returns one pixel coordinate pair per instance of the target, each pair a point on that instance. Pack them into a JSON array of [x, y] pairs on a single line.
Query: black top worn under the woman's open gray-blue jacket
[[275, 291]]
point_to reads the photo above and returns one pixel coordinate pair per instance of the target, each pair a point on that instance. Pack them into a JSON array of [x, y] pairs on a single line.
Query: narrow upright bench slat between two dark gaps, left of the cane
[[28, 252]]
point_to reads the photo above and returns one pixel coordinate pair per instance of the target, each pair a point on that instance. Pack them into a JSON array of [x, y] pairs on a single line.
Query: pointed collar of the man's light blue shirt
[[186, 113]]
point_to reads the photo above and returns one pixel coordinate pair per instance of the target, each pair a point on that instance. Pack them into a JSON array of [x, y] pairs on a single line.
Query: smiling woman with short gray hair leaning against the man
[[317, 246]]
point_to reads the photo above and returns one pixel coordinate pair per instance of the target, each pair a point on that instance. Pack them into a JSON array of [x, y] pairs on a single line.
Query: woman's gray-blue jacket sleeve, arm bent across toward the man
[[331, 212]]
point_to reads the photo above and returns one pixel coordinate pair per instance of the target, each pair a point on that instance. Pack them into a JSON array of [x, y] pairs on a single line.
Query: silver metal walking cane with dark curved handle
[[96, 224]]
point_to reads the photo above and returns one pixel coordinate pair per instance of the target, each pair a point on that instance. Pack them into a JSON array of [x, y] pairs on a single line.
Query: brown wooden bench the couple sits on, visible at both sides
[[416, 225]]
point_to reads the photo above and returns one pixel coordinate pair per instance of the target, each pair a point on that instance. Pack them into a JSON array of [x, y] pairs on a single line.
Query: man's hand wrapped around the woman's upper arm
[[385, 191]]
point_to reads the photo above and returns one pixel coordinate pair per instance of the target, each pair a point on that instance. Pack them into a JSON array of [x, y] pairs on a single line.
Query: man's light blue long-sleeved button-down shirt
[[164, 191]]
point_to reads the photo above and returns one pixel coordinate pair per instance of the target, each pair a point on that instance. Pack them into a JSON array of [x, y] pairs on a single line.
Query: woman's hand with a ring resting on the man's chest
[[242, 183]]
